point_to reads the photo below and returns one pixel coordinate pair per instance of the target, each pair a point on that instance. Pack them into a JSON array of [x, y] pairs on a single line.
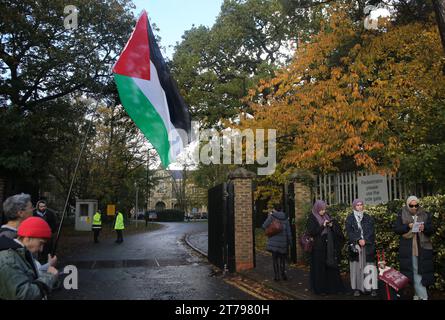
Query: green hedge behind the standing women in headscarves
[[385, 216]]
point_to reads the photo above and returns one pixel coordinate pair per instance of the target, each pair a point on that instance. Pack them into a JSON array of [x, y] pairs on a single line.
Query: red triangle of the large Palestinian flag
[[135, 58]]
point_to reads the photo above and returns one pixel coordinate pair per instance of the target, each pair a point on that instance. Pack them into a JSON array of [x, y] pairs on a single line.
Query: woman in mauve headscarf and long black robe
[[326, 250]]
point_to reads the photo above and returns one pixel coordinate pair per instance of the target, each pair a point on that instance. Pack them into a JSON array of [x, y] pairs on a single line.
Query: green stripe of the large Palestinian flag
[[140, 109]]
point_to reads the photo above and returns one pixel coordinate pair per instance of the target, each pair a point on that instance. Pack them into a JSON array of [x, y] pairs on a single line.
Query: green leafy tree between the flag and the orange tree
[[215, 67]]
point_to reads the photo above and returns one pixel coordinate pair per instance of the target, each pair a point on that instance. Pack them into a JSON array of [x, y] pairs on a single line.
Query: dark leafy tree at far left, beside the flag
[[43, 65]]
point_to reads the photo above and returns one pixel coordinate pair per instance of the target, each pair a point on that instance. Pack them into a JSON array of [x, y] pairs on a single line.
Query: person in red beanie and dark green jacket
[[19, 277]]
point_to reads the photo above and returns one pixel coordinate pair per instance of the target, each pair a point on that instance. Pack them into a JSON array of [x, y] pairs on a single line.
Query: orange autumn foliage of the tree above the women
[[353, 96]]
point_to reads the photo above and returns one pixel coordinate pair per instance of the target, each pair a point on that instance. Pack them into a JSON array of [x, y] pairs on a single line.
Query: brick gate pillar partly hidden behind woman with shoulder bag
[[303, 203]]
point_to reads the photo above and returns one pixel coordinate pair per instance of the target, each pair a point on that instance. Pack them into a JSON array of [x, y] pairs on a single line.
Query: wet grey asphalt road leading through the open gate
[[156, 265]]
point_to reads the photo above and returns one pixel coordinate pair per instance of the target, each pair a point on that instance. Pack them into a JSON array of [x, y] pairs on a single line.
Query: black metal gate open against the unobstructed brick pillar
[[221, 224]]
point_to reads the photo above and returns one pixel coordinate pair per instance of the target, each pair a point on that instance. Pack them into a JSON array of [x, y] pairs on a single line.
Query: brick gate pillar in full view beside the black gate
[[243, 203]]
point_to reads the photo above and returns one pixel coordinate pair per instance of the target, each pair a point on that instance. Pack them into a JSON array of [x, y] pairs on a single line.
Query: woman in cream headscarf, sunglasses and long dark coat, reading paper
[[415, 228]]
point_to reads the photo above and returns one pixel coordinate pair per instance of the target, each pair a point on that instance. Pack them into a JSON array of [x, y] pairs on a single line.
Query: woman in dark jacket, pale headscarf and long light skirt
[[361, 241]]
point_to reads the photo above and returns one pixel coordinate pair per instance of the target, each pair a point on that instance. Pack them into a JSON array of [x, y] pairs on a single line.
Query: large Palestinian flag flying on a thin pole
[[150, 95]]
